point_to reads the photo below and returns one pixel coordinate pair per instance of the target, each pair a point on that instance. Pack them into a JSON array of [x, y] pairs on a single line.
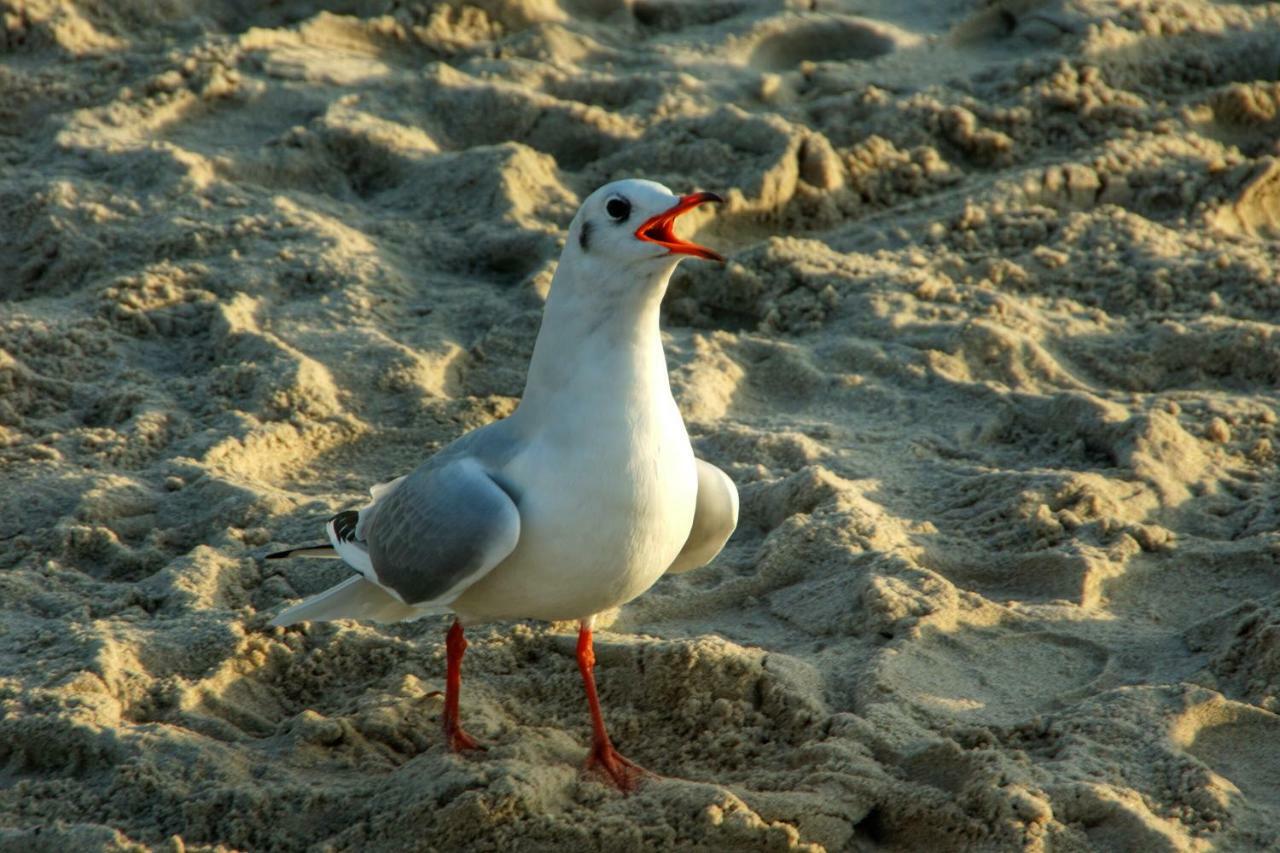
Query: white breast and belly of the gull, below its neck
[[604, 514]]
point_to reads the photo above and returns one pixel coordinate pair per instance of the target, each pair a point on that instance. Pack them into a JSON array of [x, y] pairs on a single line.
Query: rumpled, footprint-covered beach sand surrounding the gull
[[995, 364]]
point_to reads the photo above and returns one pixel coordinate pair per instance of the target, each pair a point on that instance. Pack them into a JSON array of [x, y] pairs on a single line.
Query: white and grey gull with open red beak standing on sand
[[575, 504]]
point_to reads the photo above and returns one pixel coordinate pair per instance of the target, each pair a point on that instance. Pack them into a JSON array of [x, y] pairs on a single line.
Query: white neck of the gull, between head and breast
[[600, 346]]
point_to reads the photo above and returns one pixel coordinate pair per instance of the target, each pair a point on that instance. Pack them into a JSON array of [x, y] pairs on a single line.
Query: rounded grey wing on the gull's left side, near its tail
[[442, 528]]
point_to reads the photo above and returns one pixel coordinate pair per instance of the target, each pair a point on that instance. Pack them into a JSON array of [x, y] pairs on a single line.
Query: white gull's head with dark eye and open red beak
[[634, 222]]
